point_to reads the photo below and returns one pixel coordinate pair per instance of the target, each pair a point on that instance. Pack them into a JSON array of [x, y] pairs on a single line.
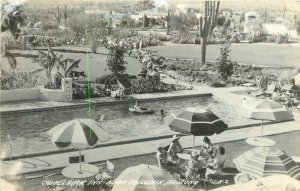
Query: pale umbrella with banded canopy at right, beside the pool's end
[[265, 110]]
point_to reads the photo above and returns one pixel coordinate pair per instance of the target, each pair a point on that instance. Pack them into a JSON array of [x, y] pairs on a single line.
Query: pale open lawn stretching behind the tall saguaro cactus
[[256, 54]]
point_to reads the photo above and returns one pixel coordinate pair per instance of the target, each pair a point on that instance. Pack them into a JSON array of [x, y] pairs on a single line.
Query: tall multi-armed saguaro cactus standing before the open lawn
[[207, 23]]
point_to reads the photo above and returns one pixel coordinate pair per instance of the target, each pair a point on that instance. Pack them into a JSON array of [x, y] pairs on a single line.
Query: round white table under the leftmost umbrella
[[87, 170]]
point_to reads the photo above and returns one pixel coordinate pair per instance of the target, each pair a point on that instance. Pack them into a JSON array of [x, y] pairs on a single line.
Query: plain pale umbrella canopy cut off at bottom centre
[[144, 177]]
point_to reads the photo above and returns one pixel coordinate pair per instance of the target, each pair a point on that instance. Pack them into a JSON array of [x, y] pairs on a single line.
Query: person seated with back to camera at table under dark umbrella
[[193, 166]]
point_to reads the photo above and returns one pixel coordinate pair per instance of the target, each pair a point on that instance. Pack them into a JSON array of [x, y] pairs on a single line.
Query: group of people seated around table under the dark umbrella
[[215, 159]]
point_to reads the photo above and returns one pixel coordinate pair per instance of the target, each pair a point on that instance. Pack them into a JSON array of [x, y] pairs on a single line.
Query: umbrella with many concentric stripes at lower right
[[265, 161]]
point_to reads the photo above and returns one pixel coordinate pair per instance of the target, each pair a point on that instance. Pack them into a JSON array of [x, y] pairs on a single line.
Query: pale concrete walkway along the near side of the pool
[[57, 161]]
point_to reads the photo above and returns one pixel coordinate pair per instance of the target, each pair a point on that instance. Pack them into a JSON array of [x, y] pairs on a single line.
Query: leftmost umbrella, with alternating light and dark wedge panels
[[79, 133]]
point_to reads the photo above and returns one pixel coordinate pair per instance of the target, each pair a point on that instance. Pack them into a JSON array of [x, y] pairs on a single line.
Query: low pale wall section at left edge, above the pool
[[20, 94]]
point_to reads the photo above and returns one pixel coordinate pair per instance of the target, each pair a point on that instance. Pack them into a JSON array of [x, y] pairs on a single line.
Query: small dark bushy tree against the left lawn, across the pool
[[115, 60]]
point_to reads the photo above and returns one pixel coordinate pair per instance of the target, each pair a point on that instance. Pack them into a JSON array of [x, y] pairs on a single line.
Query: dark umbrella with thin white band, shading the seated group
[[198, 122]]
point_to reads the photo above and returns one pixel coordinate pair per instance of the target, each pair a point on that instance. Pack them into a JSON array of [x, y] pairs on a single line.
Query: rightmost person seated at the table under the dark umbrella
[[215, 165]]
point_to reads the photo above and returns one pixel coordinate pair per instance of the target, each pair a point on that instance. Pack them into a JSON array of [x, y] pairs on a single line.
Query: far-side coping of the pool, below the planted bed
[[34, 106]]
